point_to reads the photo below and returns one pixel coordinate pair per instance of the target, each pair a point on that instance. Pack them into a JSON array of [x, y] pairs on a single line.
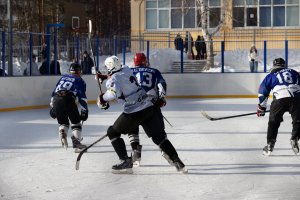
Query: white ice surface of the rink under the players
[[224, 158]]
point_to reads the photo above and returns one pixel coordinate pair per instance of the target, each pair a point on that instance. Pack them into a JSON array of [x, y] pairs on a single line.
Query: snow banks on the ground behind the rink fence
[[162, 59]]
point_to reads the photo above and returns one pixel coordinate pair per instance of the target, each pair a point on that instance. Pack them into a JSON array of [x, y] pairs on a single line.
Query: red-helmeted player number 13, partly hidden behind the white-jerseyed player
[[155, 85]]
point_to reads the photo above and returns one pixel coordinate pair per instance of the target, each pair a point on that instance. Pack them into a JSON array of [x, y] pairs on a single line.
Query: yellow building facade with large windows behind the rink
[[253, 20]]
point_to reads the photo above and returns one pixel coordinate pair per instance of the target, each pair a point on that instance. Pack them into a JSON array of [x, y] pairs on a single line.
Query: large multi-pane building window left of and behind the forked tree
[[179, 14]]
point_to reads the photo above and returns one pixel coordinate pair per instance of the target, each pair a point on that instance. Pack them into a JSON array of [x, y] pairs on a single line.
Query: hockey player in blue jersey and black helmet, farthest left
[[69, 89]]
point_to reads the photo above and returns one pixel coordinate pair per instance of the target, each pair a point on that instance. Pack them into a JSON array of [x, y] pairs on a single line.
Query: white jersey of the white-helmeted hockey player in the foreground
[[123, 87]]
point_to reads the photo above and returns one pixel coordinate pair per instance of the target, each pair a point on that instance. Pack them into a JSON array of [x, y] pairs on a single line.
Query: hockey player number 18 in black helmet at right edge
[[286, 98]]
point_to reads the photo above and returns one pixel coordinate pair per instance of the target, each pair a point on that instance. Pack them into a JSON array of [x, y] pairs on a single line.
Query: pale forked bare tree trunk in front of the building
[[209, 33]]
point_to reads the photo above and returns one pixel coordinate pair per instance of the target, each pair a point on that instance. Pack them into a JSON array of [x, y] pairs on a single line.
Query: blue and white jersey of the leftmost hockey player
[[74, 84]]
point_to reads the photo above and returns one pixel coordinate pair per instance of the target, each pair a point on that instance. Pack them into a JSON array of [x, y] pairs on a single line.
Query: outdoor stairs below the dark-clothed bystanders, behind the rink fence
[[189, 66]]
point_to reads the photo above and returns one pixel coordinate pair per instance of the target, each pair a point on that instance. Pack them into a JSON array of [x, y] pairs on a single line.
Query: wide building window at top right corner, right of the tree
[[265, 13]]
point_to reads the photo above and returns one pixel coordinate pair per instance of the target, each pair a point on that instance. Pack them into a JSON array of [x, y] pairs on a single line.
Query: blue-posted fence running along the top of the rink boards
[[227, 53]]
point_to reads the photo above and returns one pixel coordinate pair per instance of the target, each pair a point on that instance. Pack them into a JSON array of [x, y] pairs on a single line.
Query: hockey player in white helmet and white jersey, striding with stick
[[138, 110]]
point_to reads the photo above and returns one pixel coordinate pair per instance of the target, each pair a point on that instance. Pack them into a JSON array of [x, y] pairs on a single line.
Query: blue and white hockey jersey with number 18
[[283, 82]]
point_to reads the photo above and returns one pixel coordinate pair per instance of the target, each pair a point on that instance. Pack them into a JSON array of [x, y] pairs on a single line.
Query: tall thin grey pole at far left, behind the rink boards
[[9, 17]]
